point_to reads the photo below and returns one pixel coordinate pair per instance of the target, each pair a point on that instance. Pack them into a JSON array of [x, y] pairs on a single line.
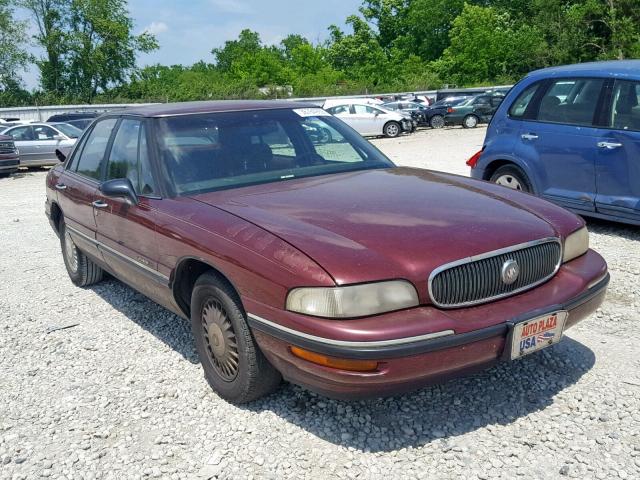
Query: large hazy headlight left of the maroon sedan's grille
[[354, 300]]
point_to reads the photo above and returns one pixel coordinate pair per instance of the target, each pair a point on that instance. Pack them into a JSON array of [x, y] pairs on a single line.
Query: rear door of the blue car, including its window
[[559, 141]]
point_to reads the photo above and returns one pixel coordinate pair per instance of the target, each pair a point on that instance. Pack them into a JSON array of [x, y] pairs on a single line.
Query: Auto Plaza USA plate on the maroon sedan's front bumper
[[537, 333]]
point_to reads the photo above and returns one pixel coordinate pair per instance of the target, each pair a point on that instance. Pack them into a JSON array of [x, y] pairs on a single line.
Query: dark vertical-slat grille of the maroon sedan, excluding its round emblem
[[479, 279]]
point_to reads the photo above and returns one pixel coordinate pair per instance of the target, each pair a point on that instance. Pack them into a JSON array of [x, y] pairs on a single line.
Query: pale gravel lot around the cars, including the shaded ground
[[120, 394]]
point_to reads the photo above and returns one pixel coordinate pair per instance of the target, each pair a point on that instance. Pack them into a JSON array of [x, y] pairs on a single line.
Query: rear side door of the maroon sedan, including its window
[[78, 184]]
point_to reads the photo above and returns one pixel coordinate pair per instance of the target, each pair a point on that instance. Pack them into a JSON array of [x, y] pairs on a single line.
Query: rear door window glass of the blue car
[[571, 101]]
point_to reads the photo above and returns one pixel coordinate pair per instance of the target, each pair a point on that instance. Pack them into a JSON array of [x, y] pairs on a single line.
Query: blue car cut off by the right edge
[[570, 134]]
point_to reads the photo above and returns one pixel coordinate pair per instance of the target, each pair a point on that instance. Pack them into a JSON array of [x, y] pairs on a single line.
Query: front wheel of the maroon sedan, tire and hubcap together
[[233, 364]]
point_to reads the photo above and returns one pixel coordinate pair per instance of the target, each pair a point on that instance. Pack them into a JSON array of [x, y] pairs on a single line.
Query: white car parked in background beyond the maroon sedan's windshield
[[371, 120]]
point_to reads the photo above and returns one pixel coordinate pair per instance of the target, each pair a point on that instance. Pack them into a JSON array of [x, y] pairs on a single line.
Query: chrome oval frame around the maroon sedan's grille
[[494, 253]]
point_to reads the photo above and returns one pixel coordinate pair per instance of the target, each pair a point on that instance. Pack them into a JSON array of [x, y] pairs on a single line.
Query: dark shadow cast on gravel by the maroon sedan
[[497, 396]]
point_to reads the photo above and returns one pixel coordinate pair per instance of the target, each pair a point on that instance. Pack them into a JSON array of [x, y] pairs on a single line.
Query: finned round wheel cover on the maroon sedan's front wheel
[[220, 340]]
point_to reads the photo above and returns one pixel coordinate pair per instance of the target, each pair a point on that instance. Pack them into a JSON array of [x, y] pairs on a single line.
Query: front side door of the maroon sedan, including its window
[[126, 232]]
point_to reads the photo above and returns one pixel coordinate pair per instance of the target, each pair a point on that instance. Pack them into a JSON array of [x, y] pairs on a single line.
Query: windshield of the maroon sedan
[[207, 152]]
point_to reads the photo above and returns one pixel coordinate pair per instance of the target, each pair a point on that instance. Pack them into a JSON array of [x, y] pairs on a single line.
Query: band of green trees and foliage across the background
[[388, 45]]
